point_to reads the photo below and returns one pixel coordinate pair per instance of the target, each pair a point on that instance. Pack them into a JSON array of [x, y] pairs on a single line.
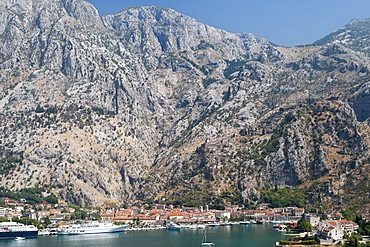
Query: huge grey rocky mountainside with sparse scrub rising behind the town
[[149, 104]]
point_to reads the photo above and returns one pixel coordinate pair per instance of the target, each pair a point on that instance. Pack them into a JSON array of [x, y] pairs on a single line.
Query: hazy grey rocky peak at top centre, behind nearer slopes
[[155, 30]]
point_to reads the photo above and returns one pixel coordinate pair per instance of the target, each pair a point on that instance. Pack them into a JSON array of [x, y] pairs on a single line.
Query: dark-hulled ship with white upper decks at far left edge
[[15, 229]]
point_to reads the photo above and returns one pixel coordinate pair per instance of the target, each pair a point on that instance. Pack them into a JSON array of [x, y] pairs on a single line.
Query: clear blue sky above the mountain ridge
[[284, 22]]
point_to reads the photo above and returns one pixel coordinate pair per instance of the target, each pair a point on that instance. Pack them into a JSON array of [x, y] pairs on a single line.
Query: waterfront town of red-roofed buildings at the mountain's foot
[[331, 230]]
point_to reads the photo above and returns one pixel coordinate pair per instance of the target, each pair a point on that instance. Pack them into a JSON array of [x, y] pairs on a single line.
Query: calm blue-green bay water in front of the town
[[225, 236]]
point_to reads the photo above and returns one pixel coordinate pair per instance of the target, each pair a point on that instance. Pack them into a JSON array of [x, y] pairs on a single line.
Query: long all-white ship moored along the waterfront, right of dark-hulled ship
[[91, 228]]
